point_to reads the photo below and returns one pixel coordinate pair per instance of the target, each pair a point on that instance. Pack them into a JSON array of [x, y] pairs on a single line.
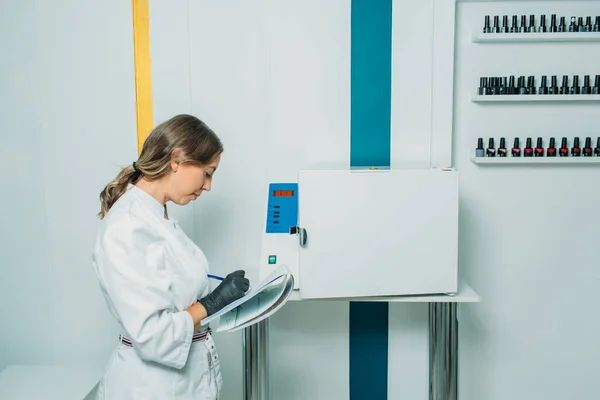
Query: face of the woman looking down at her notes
[[189, 180]]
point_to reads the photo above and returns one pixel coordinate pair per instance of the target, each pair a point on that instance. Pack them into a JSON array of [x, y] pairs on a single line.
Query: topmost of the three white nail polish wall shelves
[[560, 37]]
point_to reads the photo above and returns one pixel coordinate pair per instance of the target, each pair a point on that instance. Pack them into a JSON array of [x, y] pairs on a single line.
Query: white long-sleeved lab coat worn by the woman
[[149, 272]]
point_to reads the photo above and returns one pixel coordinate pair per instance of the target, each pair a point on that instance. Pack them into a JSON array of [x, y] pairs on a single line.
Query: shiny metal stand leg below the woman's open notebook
[[256, 361]]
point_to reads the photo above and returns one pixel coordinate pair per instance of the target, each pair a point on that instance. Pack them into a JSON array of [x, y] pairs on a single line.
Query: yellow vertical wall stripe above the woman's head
[[143, 70]]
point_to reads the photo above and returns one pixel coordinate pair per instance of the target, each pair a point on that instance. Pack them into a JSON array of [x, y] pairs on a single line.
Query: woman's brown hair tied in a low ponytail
[[184, 133]]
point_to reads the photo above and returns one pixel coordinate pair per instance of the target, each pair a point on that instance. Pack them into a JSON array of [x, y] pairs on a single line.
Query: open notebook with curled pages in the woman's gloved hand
[[259, 303]]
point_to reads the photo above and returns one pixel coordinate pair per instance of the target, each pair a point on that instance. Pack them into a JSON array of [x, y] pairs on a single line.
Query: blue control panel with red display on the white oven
[[282, 212]]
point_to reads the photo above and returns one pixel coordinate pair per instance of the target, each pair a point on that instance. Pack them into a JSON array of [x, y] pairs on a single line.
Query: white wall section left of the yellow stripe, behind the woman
[[67, 124]]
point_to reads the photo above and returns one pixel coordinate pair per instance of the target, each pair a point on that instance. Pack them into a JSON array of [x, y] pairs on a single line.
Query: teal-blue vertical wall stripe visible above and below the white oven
[[370, 145]]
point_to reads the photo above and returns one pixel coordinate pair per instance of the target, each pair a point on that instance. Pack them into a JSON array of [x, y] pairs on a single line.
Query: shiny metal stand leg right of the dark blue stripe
[[443, 351]]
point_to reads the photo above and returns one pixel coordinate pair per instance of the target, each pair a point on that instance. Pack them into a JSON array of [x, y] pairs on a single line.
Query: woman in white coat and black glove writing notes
[[154, 278]]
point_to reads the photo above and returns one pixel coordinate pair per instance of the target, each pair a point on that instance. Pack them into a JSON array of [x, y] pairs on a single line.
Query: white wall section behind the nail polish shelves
[[528, 234]]
